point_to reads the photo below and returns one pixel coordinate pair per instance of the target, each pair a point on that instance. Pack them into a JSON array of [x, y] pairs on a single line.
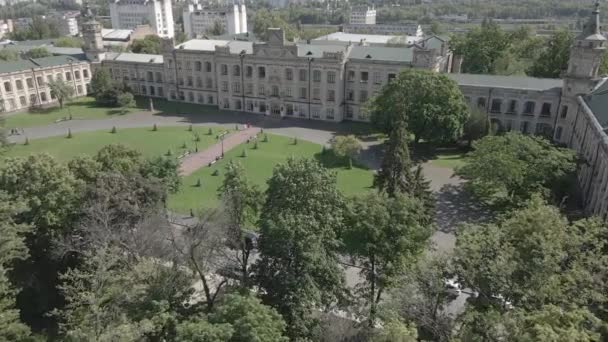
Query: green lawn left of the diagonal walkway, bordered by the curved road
[[149, 143]]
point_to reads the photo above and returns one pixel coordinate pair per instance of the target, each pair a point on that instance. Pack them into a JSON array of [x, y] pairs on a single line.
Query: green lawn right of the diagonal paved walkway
[[259, 164]]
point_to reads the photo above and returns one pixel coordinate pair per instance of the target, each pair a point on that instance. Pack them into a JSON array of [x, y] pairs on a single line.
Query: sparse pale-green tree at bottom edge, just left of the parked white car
[[421, 297]]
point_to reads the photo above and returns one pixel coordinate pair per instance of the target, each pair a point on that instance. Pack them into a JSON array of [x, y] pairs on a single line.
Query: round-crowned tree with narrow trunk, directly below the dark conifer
[[384, 235]]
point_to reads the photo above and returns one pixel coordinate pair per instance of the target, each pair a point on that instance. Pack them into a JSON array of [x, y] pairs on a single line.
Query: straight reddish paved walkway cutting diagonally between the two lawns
[[195, 161]]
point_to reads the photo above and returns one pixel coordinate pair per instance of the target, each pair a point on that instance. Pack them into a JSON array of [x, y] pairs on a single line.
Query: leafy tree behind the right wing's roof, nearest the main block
[[480, 47]]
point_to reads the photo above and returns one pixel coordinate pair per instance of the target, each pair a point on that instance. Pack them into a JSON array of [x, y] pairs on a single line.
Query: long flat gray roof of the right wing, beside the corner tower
[[509, 82]]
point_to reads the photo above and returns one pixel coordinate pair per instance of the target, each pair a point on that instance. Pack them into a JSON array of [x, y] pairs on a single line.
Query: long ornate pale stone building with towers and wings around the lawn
[[332, 79]]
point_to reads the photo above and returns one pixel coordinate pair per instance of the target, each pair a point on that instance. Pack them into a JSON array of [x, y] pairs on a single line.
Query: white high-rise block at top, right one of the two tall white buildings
[[199, 21]]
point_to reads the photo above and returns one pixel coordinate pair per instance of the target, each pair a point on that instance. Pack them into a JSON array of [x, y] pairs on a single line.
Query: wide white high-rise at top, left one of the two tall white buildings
[[128, 14]]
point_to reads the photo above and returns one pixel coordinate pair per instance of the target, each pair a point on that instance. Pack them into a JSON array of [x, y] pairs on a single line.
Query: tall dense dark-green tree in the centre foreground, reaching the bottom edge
[[298, 265]]
